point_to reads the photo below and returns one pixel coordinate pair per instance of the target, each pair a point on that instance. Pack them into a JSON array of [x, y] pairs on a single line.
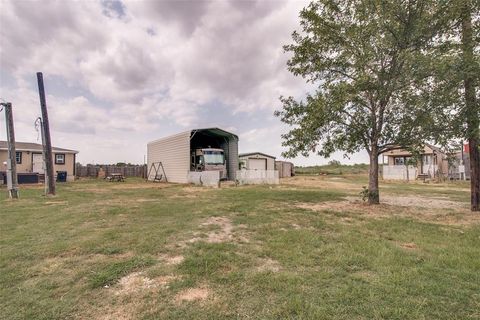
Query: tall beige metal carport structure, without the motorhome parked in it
[[175, 152]]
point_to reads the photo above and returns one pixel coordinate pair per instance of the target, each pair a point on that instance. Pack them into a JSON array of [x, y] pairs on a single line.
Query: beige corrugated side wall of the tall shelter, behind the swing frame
[[174, 153]]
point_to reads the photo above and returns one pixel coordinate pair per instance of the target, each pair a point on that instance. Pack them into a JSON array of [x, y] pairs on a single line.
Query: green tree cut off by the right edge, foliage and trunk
[[454, 89]]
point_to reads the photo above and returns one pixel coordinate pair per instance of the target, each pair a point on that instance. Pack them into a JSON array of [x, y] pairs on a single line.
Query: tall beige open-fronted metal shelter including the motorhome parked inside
[[201, 156]]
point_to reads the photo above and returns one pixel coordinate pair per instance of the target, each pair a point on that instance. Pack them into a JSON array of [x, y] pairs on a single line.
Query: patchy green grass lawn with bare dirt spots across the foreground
[[305, 249]]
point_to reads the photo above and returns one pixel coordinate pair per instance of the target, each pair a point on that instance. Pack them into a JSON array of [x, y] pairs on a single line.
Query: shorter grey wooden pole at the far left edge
[[12, 182]]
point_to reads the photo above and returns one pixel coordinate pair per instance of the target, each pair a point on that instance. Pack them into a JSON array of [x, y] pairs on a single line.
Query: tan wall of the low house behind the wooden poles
[[26, 165]]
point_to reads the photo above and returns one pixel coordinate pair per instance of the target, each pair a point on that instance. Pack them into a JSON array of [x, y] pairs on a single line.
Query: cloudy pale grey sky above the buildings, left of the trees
[[121, 73]]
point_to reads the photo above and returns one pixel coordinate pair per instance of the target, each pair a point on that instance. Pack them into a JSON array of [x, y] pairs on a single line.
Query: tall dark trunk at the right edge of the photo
[[471, 110]]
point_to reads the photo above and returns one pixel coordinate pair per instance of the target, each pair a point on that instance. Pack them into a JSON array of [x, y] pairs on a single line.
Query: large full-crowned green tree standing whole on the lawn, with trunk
[[366, 61]]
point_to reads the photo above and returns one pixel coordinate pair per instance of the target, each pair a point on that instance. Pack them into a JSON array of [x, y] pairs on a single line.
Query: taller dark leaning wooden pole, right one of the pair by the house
[[47, 145]]
